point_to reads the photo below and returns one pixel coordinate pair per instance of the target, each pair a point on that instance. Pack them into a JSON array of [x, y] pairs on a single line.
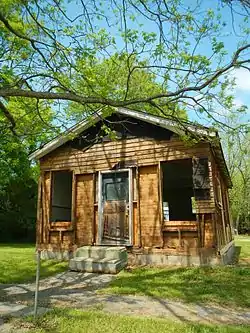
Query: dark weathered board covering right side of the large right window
[[201, 183]]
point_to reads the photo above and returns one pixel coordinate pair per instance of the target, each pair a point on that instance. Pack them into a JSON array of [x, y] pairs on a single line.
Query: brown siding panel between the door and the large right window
[[151, 224]]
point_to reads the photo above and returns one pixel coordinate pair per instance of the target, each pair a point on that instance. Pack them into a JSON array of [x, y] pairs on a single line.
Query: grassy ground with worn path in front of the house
[[183, 298]]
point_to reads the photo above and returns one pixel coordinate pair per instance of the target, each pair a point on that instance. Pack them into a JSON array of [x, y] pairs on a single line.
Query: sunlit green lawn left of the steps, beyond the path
[[18, 265]]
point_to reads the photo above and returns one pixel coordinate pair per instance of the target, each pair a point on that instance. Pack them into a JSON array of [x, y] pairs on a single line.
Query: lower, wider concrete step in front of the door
[[95, 265]]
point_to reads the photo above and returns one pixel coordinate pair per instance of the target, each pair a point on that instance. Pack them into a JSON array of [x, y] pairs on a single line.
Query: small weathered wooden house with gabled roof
[[133, 179]]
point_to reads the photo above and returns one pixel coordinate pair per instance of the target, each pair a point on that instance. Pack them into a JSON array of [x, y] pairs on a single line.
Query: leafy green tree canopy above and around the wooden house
[[61, 60]]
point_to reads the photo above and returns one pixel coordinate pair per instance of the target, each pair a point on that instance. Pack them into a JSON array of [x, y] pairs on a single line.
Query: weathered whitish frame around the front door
[[100, 204]]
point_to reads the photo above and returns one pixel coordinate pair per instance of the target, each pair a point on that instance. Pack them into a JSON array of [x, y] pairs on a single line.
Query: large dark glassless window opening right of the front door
[[184, 183]]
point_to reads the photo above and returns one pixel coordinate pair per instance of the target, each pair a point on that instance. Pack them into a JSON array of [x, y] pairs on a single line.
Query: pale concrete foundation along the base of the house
[[145, 257]]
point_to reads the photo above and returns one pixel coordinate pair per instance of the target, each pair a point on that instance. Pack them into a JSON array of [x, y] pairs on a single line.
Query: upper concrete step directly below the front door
[[101, 252]]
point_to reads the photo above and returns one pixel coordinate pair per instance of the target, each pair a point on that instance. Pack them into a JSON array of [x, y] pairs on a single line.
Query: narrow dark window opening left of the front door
[[61, 196]]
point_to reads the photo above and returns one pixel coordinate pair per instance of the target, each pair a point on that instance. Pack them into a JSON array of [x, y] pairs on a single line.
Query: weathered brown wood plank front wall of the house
[[147, 154]]
